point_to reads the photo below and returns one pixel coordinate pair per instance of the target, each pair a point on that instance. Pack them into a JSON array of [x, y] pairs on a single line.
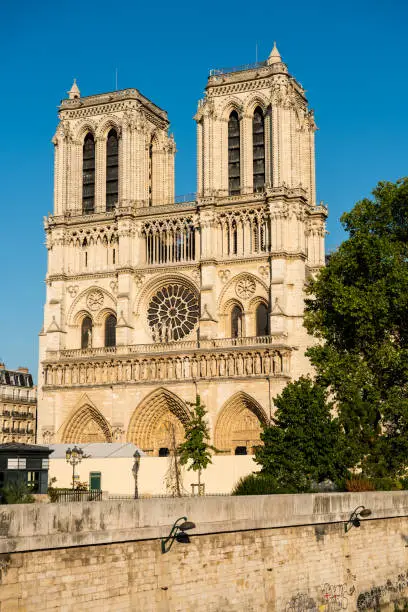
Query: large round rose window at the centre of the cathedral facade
[[172, 313]]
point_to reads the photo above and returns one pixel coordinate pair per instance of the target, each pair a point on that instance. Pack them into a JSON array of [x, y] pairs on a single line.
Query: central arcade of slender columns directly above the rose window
[[170, 241]]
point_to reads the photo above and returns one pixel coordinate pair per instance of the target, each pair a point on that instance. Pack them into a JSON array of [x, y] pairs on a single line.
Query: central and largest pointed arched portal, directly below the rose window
[[158, 422]]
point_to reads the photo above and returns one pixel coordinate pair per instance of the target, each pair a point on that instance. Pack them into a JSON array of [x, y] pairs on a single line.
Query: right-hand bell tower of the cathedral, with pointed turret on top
[[255, 131]]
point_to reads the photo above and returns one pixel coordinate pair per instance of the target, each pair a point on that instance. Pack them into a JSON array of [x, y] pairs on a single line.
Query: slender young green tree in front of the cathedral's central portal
[[196, 448]]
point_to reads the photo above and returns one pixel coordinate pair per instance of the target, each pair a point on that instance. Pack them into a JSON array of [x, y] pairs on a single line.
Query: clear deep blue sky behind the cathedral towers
[[351, 57]]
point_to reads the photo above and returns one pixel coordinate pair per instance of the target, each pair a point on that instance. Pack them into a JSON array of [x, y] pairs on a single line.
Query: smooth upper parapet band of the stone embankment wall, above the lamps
[[46, 526]]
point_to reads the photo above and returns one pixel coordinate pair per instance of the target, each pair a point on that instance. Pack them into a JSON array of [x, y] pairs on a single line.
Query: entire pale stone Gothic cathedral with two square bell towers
[[151, 298]]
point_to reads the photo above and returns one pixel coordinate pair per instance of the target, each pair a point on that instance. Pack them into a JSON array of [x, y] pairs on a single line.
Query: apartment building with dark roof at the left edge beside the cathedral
[[18, 406]]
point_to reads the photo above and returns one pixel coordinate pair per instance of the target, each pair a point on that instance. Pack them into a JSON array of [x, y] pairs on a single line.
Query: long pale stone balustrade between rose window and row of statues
[[160, 347]]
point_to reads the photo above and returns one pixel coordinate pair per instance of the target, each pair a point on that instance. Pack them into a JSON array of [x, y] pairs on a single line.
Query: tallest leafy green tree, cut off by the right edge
[[359, 310]]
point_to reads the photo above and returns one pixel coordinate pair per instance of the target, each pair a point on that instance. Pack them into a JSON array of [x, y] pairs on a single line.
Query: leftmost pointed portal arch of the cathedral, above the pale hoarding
[[86, 425]]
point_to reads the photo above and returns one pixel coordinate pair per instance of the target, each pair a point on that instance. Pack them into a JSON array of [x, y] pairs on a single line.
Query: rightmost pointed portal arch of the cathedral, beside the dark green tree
[[239, 423]]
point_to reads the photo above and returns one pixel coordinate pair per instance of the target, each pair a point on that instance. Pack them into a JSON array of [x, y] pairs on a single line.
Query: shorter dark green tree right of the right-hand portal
[[305, 442]]
